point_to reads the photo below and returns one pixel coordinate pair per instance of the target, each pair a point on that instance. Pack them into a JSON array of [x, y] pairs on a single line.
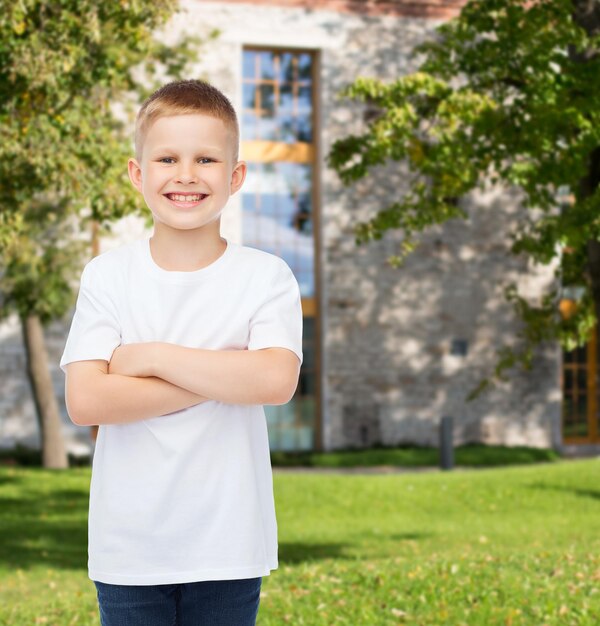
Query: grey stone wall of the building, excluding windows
[[401, 347]]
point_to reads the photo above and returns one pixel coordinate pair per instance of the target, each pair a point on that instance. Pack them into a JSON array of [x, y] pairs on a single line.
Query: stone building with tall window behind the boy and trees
[[388, 352]]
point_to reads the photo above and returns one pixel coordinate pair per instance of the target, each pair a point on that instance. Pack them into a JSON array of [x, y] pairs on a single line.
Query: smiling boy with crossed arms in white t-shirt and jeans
[[176, 343]]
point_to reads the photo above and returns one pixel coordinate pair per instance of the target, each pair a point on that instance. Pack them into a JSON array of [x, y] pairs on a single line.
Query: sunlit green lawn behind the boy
[[507, 546]]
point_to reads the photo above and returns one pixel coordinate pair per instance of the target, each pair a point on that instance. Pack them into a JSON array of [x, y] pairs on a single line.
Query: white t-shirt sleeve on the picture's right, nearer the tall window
[[277, 323]]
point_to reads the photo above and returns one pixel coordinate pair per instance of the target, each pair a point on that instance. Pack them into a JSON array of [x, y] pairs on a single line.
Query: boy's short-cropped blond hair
[[185, 97]]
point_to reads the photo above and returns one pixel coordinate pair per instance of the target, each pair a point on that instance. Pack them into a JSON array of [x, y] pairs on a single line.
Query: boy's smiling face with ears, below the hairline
[[187, 171]]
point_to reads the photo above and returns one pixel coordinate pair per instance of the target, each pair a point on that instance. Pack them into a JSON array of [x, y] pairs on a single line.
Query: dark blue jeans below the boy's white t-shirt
[[206, 603]]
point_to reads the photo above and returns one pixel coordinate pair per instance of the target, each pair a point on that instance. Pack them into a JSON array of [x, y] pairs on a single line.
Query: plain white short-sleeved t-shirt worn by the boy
[[187, 496]]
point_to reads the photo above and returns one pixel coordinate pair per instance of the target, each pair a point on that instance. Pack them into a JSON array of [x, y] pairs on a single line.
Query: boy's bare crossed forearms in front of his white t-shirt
[[150, 379]]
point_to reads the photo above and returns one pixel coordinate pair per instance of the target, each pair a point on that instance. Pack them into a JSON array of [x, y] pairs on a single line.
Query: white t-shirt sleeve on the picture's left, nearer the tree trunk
[[95, 330]]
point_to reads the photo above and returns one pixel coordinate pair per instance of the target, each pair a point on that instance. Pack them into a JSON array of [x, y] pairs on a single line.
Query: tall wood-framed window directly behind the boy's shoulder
[[279, 207]]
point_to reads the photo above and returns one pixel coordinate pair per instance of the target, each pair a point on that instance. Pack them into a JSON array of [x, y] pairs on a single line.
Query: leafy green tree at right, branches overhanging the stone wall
[[508, 93]]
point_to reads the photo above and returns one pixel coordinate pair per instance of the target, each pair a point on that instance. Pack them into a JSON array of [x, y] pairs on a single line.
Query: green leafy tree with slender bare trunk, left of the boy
[[64, 66]]
